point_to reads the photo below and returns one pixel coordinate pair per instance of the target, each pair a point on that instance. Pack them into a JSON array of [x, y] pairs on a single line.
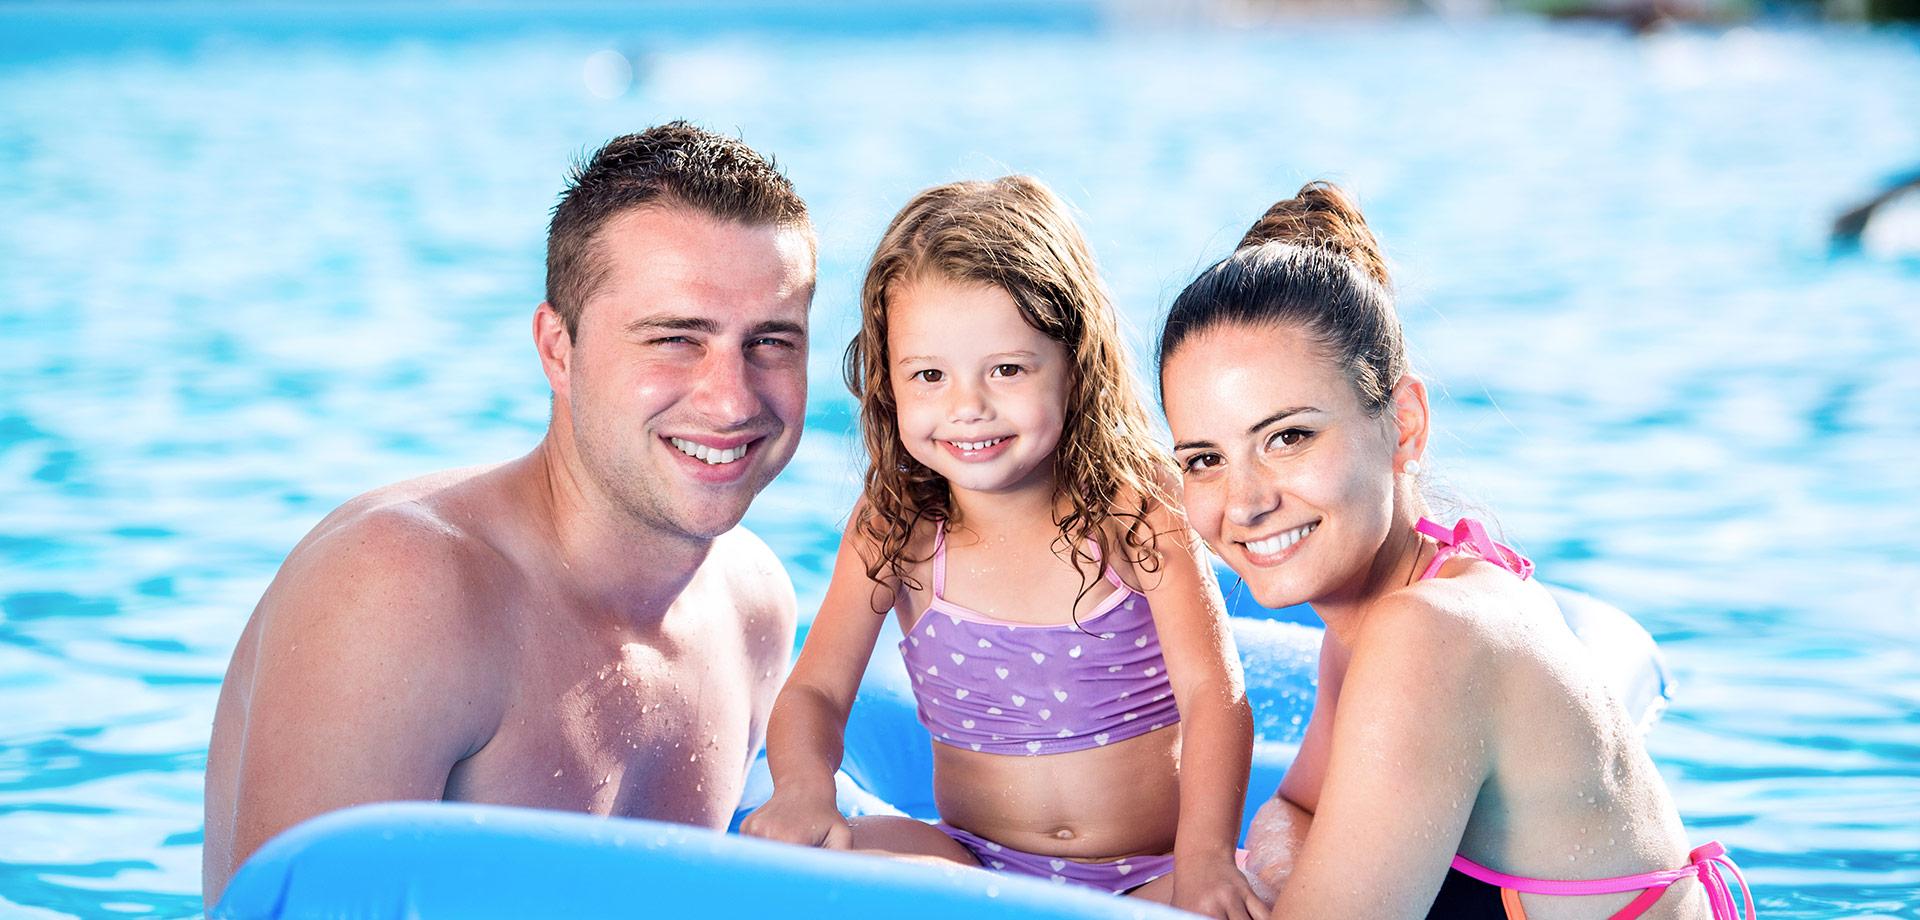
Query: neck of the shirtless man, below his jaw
[[608, 560]]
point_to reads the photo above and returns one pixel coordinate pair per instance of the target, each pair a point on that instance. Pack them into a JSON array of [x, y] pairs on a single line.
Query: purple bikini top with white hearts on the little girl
[[1015, 689]]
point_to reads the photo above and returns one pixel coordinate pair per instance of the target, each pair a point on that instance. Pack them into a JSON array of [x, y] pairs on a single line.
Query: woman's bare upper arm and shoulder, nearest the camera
[[1410, 752]]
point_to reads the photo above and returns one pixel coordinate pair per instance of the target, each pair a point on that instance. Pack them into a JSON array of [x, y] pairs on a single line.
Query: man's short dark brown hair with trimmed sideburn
[[673, 164]]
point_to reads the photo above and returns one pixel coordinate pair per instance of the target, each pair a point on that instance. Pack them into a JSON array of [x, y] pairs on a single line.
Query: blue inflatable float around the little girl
[[475, 861]]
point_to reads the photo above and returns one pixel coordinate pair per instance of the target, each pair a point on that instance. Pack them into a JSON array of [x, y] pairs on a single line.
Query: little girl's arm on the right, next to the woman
[[1218, 723]]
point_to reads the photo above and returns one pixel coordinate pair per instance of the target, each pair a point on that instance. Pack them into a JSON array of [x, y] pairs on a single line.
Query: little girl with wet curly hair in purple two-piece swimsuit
[[1067, 644]]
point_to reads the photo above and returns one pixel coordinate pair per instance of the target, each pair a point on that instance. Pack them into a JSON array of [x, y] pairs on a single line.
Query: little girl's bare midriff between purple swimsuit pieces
[[1090, 806]]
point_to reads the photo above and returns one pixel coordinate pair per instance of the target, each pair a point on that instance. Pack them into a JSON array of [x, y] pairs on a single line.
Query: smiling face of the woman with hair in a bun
[[1284, 472]]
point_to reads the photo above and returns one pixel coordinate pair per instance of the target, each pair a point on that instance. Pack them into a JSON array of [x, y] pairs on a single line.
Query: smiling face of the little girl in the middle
[[980, 395]]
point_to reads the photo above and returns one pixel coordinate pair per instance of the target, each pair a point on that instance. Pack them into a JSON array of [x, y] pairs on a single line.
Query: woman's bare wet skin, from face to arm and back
[[1454, 714]]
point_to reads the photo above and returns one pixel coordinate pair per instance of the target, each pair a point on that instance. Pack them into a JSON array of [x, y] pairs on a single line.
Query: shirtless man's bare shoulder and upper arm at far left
[[358, 685]]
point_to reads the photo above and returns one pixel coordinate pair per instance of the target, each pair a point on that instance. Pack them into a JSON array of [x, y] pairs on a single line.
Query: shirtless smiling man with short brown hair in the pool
[[585, 627]]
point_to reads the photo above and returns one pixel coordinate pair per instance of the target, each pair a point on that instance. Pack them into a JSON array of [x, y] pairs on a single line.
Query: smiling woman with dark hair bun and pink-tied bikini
[[1462, 760]]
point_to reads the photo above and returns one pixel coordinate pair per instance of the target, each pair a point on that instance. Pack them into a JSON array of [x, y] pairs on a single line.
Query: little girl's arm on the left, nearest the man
[[807, 731]]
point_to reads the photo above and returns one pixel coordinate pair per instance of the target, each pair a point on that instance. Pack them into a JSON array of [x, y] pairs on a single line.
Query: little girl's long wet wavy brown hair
[[1017, 235]]
